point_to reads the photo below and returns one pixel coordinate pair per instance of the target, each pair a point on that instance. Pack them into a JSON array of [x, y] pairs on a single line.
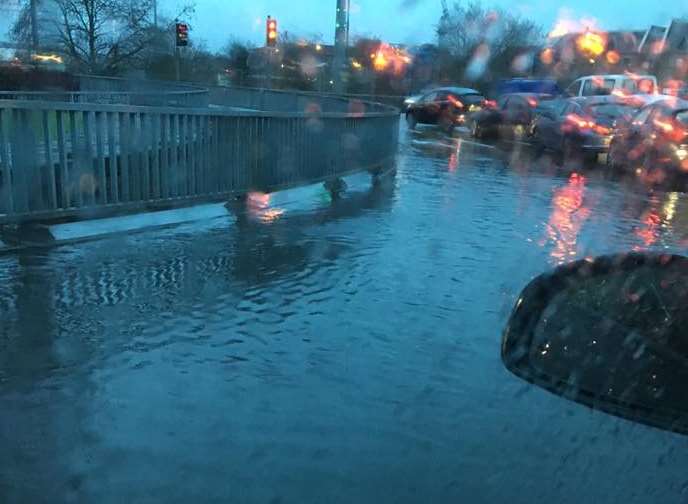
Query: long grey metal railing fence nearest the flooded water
[[86, 160]]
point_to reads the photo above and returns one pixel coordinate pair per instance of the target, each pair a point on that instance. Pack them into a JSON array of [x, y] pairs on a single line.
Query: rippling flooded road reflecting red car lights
[[326, 352]]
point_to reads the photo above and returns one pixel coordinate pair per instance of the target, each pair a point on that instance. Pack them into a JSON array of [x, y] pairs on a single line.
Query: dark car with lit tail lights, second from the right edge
[[580, 126]]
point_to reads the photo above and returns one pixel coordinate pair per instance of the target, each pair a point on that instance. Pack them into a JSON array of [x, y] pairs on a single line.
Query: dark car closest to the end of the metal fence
[[446, 107]]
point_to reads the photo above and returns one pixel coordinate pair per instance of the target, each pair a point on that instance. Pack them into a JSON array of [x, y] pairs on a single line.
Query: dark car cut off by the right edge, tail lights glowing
[[656, 138]]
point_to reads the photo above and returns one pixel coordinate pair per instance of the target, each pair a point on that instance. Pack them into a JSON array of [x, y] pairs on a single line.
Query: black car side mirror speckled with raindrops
[[609, 333]]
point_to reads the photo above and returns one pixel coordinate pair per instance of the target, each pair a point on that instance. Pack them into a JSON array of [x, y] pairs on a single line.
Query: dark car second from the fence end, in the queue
[[510, 117]]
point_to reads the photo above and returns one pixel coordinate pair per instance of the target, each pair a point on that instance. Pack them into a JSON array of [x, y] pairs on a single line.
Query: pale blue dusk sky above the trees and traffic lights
[[399, 21]]
